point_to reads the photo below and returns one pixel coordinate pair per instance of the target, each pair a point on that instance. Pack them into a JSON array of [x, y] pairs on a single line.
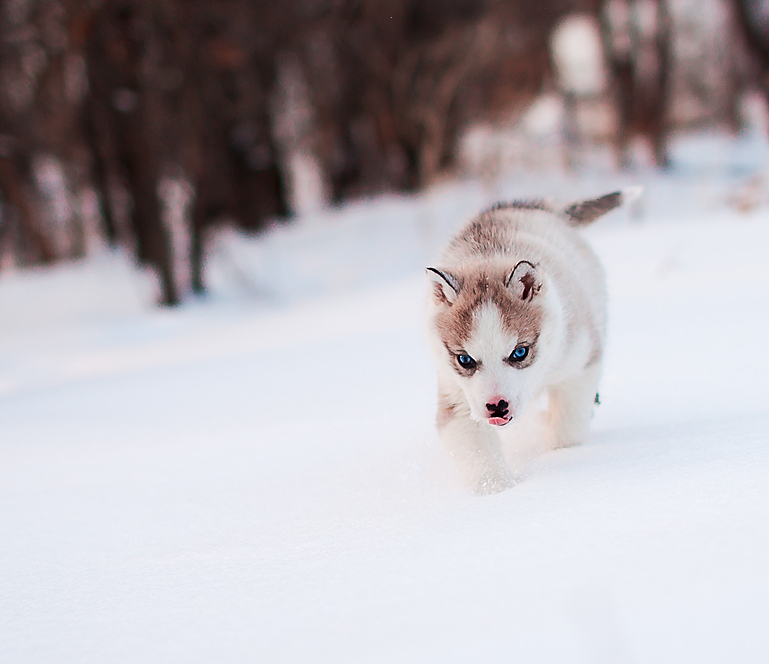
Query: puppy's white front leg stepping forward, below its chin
[[473, 445]]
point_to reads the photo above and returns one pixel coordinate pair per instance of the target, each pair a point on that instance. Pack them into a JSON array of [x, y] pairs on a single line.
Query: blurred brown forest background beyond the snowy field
[[146, 122]]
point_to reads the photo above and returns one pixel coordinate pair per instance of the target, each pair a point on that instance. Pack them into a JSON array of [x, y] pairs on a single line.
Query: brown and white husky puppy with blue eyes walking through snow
[[517, 311]]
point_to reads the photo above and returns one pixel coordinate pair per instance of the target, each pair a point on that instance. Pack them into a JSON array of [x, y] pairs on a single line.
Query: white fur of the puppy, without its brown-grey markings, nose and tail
[[566, 368]]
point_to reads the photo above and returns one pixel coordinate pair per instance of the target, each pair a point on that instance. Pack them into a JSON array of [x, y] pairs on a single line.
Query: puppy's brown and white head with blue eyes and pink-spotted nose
[[490, 325]]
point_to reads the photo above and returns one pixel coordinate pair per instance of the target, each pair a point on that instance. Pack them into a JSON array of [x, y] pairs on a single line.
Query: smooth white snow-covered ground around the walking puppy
[[256, 477]]
